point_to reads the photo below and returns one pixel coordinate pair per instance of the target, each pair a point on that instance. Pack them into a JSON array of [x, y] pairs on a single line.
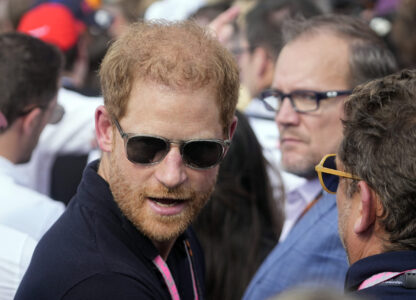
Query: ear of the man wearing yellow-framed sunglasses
[[367, 208]]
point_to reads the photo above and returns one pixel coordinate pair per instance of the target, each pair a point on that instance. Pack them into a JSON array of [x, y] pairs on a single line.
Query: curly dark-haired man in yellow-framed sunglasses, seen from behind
[[374, 178]]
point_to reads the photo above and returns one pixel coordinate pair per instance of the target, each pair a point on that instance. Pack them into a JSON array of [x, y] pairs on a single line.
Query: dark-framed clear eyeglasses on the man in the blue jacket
[[301, 101]]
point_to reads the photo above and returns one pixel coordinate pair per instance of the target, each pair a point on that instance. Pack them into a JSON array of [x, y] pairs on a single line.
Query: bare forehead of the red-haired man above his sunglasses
[[182, 114]]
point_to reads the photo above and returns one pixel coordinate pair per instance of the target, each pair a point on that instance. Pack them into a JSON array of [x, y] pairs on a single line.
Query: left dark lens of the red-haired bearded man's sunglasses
[[146, 150]]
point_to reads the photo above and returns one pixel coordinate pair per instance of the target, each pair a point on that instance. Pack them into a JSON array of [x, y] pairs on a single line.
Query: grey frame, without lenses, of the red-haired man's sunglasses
[[181, 143]]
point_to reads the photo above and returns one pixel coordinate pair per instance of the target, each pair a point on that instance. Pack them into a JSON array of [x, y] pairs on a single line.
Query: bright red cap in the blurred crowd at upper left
[[52, 23]]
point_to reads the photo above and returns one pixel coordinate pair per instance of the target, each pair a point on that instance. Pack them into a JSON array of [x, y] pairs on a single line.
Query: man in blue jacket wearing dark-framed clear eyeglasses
[[323, 59]]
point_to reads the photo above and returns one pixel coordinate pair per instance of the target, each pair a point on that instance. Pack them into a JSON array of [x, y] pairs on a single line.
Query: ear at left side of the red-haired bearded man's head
[[103, 129]]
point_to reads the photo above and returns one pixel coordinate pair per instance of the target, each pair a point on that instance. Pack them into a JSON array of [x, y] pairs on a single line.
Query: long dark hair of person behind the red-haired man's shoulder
[[240, 224]]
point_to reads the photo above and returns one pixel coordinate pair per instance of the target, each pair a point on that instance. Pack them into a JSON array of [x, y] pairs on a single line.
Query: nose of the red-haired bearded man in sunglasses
[[171, 171]]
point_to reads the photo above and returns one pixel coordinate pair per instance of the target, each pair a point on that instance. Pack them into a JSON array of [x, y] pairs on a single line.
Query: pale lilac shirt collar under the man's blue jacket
[[296, 202]]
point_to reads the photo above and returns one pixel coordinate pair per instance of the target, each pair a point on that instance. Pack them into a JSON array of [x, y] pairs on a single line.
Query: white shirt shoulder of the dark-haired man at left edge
[[23, 209]]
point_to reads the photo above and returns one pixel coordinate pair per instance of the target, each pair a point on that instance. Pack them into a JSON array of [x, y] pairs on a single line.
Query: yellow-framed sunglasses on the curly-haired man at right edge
[[329, 175]]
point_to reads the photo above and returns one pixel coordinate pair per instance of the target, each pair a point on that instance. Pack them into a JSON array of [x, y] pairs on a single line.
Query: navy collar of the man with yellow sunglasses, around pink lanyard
[[363, 269]]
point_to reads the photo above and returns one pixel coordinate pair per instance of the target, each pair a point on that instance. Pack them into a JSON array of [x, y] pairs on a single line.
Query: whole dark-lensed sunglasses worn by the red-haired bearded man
[[196, 154]]
